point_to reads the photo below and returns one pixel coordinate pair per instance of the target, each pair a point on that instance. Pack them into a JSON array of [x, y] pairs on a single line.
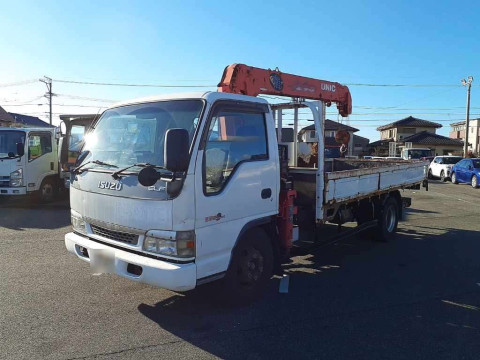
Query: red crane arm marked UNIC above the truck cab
[[248, 80]]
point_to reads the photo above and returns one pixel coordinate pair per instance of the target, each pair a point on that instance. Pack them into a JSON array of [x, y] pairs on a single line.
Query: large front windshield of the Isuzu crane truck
[[136, 133]]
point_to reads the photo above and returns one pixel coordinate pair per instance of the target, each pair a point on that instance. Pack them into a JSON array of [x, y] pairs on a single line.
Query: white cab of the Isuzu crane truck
[[170, 229]]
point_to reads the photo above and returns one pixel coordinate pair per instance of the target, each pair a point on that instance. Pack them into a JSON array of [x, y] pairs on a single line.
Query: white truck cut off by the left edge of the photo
[[28, 163]]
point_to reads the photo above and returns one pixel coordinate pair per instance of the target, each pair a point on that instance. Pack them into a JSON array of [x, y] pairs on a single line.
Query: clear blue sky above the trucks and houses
[[428, 46]]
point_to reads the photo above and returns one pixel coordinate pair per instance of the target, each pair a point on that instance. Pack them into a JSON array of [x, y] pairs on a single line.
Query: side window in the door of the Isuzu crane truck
[[233, 137]]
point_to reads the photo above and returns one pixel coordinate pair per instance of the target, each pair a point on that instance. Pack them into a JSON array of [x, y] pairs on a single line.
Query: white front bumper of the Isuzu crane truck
[[176, 277]]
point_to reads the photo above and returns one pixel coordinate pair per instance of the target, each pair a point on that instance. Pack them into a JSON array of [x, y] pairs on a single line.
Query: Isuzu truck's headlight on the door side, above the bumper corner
[[178, 244]]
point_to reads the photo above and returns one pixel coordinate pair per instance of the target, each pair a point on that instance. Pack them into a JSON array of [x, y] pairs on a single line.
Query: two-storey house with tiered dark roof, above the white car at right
[[413, 132]]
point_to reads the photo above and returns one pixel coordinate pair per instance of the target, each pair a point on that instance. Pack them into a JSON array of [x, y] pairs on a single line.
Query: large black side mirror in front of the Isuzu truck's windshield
[[176, 156]]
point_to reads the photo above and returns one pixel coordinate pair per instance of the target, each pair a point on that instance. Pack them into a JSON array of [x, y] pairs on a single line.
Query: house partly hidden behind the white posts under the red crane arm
[[307, 135]]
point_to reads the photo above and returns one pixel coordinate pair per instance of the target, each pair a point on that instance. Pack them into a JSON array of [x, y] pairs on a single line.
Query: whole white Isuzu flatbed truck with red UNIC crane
[[179, 190]]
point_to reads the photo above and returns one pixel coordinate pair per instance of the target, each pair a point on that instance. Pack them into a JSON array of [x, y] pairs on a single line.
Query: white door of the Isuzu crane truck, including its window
[[236, 180]]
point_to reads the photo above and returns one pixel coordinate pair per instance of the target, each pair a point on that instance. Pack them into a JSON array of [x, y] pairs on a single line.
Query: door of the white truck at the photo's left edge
[[42, 160]]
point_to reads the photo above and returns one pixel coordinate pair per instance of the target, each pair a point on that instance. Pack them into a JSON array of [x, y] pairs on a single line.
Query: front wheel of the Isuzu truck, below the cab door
[[251, 267]]
